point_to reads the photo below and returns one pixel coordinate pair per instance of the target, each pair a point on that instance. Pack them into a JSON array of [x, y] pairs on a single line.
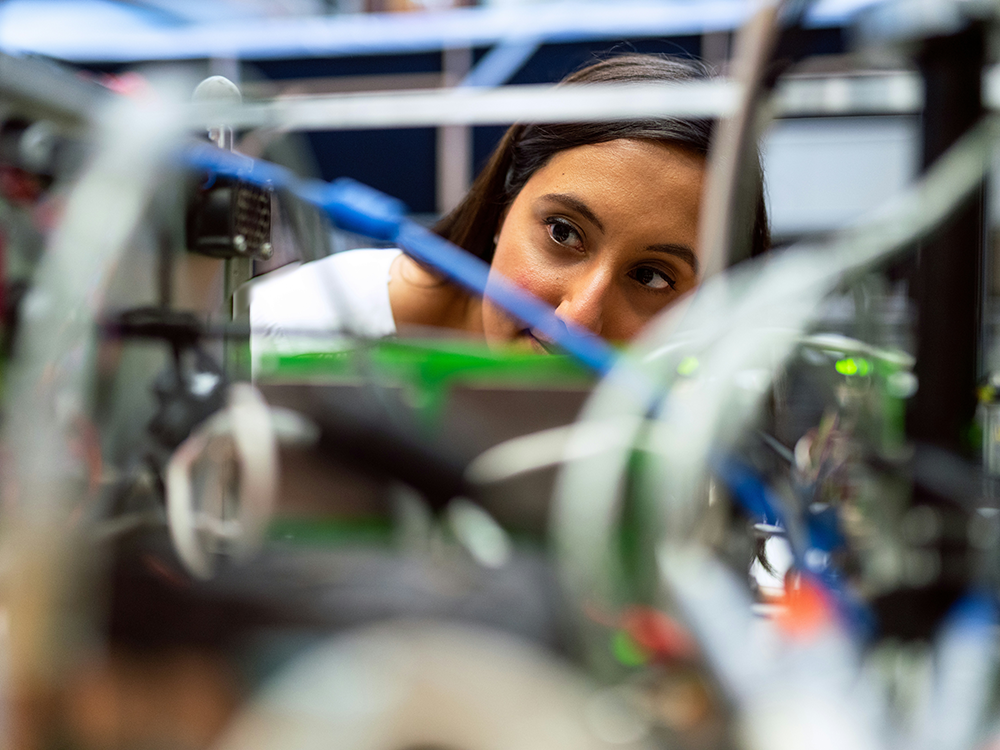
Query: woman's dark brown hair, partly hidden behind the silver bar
[[526, 148]]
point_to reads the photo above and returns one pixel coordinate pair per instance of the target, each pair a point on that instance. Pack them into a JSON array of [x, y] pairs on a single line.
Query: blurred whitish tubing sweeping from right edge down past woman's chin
[[748, 318]]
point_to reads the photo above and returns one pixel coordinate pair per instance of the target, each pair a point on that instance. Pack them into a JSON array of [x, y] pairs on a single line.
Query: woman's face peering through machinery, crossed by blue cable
[[606, 234]]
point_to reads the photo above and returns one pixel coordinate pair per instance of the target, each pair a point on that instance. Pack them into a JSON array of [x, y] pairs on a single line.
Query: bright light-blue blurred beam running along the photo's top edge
[[75, 40]]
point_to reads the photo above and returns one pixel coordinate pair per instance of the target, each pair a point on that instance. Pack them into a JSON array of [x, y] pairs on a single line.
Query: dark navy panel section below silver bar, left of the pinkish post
[[398, 162]]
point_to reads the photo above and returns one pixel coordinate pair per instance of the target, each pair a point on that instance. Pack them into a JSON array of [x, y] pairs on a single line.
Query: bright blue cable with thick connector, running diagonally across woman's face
[[364, 210]]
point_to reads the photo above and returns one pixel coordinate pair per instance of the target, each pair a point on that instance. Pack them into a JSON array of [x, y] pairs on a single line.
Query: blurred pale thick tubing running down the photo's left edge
[[49, 393]]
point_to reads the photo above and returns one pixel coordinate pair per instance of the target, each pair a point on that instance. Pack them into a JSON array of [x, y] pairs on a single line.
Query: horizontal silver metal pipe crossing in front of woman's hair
[[889, 93]]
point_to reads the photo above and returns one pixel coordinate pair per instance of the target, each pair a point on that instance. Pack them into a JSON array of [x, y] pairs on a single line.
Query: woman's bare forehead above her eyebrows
[[627, 181]]
